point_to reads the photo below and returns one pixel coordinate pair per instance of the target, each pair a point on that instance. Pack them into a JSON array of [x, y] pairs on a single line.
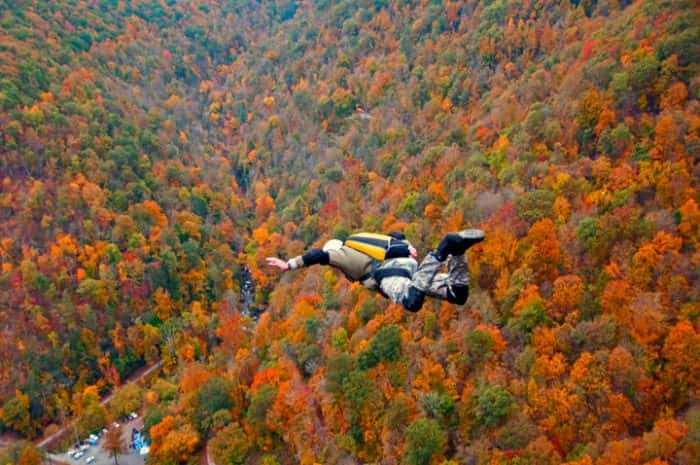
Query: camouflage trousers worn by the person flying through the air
[[451, 286]]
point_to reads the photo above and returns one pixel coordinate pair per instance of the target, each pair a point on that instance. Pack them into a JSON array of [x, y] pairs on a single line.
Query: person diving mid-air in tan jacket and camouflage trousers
[[397, 275]]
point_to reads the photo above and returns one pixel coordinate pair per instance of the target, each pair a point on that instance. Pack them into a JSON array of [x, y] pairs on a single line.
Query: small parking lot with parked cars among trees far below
[[95, 454]]
